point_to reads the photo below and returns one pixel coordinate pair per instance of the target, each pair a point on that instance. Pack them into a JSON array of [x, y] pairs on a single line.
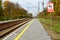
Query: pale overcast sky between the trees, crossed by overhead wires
[[31, 5]]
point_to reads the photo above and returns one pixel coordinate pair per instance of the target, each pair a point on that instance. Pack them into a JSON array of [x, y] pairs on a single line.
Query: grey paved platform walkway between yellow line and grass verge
[[35, 32]]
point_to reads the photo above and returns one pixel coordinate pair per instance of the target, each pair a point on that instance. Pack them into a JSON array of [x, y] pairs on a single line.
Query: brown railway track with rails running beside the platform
[[8, 27]]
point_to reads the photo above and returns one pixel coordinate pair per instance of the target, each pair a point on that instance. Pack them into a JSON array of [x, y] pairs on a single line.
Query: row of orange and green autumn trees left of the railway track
[[10, 10]]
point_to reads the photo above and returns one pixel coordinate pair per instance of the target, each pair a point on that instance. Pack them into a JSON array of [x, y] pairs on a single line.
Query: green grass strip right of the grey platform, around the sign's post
[[55, 24]]
